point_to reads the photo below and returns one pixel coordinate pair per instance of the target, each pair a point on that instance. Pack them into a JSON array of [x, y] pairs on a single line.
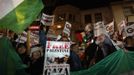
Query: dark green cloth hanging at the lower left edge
[[10, 62]]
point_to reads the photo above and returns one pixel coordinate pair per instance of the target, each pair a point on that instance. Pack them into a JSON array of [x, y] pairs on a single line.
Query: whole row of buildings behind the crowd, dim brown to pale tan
[[116, 11]]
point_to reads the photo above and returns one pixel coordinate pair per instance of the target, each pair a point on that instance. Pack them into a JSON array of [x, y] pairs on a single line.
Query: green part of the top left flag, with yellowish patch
[[22, 16]]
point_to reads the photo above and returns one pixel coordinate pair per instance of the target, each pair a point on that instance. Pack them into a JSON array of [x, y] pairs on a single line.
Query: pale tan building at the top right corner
[[123, 10]]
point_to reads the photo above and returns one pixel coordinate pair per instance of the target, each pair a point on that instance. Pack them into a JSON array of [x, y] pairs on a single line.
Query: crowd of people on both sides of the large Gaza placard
[[97, 45]]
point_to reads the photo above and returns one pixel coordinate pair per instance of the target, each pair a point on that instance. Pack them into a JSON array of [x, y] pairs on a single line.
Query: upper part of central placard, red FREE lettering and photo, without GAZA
[[57, 52]]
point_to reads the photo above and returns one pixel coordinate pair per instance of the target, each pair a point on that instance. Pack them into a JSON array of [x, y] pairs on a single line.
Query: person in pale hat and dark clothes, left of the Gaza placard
[[36, 64]]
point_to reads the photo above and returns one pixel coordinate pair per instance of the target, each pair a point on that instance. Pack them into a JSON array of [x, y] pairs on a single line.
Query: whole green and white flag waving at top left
[[21, 17]]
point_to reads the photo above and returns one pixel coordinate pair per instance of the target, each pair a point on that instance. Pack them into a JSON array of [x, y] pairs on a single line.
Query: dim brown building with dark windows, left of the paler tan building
[[79, 18]]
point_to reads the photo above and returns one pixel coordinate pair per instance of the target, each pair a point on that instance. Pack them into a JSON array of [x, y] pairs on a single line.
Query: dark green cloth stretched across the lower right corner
[[118, 63]]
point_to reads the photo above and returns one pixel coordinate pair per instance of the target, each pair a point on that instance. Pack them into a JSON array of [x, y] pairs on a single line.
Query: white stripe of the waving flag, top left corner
[[7, 6]]
